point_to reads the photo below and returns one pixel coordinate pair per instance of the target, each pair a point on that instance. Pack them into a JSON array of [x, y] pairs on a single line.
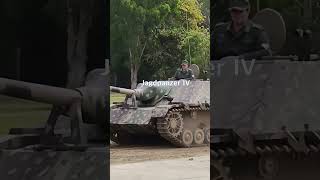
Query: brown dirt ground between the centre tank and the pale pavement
[[131, 154]]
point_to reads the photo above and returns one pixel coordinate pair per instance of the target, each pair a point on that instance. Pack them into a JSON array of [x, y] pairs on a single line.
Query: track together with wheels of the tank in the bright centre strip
[[177, 134]]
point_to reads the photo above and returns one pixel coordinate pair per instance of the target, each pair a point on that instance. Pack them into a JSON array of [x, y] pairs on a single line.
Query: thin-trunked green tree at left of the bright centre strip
[[136, 20]]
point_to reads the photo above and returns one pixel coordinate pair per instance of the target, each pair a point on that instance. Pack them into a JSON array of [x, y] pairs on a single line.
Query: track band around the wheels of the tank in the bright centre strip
[[165, 133]]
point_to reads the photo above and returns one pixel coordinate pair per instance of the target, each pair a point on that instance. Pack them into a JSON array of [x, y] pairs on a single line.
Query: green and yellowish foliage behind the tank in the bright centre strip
[[158, 34]]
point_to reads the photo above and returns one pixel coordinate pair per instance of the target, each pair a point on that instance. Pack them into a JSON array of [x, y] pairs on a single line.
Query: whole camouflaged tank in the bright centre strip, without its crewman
[[176, 111]]
